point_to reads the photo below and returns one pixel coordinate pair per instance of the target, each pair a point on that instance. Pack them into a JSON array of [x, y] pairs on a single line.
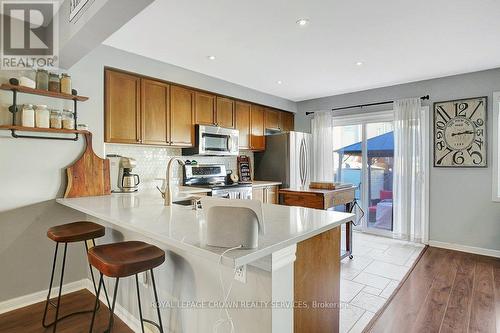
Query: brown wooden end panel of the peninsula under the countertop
[[317, 282]]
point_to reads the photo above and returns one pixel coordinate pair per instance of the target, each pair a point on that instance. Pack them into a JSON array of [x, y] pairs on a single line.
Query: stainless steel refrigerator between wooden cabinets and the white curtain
[[287, 158]]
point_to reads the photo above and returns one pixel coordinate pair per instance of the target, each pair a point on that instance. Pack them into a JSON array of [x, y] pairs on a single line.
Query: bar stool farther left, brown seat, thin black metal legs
[[81, 231]]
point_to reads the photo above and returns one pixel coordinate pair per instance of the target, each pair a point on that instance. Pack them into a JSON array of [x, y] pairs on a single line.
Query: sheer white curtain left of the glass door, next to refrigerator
[[322, 152]]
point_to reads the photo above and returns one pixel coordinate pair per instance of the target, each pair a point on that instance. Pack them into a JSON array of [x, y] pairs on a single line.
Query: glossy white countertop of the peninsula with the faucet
[[179, 227]]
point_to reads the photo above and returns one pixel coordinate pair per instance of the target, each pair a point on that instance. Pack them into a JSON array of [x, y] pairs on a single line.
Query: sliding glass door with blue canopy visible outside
[[364, 156]]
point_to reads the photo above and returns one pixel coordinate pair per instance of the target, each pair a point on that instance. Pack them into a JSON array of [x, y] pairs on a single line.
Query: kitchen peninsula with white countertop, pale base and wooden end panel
[[189, 280]]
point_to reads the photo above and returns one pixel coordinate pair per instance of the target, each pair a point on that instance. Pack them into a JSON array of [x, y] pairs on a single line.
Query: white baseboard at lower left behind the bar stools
[[19, 302]]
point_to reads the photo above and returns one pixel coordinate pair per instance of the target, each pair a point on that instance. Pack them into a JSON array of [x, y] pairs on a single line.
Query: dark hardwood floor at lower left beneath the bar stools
[[29, 318]]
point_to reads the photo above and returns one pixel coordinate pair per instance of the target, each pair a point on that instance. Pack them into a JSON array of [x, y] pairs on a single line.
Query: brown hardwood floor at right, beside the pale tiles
[[447, 291]]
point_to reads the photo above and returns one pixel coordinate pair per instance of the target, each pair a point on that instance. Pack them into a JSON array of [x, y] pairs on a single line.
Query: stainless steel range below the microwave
[[214, 176]]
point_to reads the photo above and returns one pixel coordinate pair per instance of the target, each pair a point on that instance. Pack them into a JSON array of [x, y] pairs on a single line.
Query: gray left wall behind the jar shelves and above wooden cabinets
[[32, 171]]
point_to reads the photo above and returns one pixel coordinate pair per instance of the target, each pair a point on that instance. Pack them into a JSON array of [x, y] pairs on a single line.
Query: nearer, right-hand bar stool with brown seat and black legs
[[125, 259]]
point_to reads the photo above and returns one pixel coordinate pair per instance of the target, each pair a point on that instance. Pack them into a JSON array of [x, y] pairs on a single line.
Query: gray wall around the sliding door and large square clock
[[461, 207]]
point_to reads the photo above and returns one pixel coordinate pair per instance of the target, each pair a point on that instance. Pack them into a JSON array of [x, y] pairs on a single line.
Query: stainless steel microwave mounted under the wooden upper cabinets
[[214, 141]]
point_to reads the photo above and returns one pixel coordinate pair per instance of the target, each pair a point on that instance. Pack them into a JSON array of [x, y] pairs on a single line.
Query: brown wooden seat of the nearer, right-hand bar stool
[[125, 258]]
